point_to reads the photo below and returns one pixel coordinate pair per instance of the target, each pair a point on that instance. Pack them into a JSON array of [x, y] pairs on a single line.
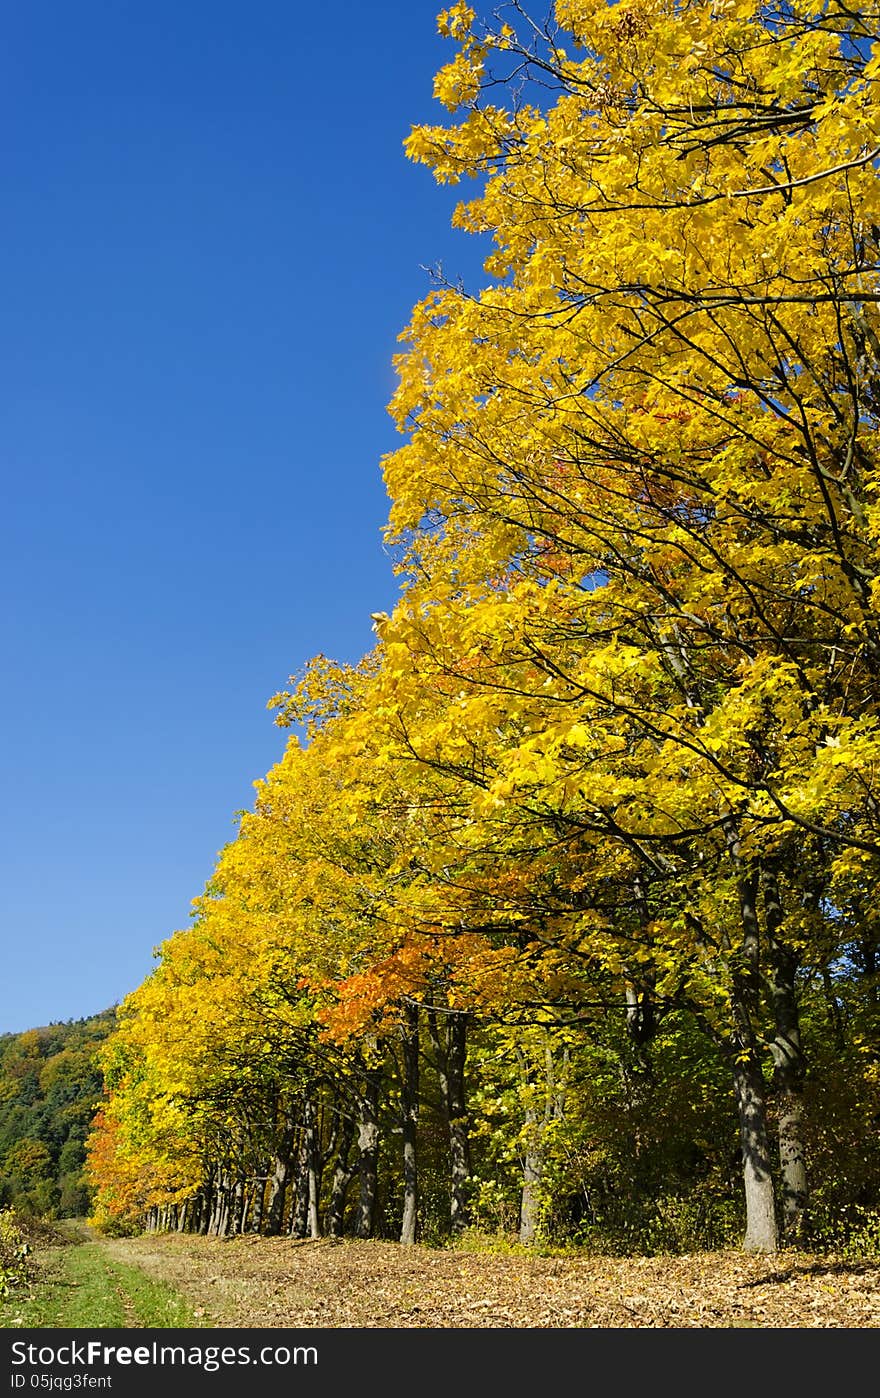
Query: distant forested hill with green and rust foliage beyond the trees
[[50, 1090]]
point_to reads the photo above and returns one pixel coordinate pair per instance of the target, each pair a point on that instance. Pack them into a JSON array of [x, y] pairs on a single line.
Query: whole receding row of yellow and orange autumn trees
[[569, 887]]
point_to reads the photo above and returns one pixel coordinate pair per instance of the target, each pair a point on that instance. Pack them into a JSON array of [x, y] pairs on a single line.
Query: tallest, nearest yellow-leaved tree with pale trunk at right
[[650, 440]]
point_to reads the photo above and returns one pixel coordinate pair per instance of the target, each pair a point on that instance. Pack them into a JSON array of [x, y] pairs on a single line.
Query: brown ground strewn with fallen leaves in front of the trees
[[285, 1284]]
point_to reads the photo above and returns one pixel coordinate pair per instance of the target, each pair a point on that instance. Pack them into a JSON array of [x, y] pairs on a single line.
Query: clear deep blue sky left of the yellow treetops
[[211, 243]]
